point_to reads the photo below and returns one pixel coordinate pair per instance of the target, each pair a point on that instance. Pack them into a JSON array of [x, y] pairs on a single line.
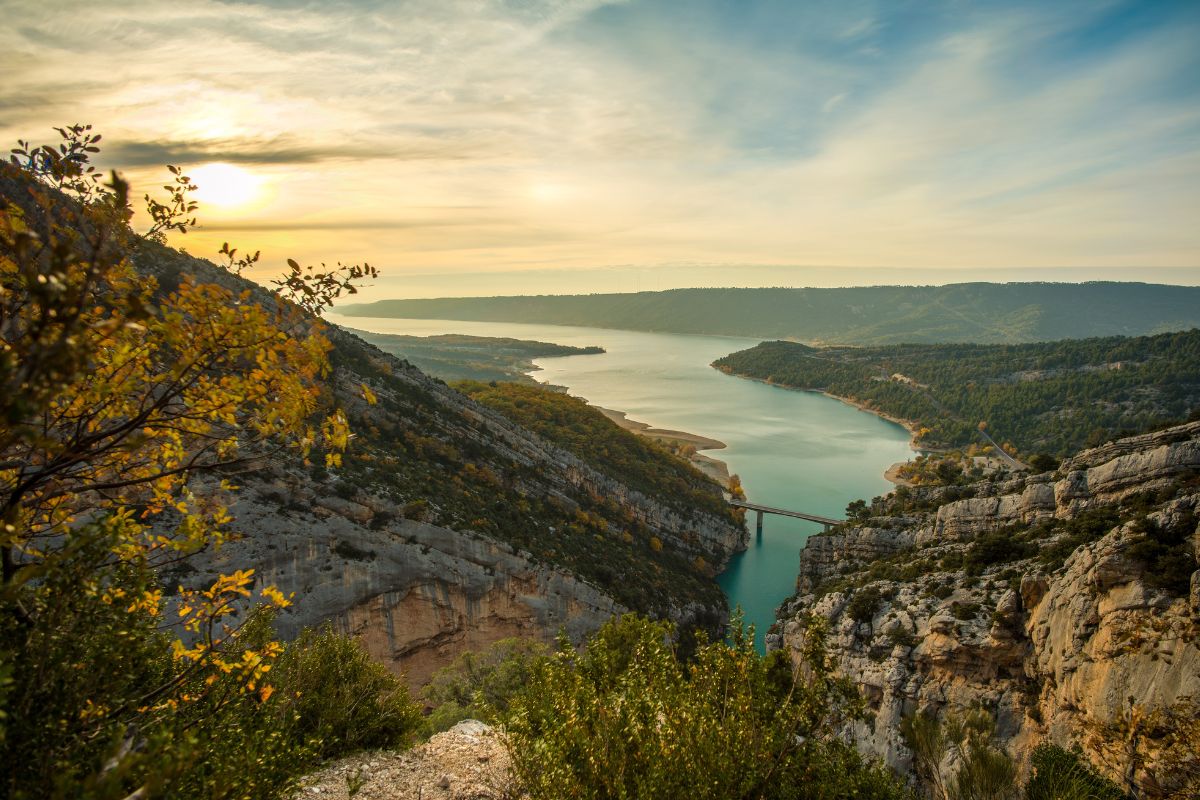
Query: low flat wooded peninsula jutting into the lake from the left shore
[[455, 357]]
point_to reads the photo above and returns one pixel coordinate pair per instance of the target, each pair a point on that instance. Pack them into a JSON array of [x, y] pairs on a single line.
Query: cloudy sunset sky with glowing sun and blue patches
[[525, 147]]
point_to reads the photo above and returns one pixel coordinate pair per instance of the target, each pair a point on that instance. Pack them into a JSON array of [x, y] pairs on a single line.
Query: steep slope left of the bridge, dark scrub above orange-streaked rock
[[451, 527]]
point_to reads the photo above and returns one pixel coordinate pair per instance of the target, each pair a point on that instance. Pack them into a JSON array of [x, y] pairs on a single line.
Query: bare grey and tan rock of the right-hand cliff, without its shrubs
[[1052, 657]]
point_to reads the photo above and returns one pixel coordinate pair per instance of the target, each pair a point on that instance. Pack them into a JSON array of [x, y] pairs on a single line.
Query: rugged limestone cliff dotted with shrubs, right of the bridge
[[1069, 604]]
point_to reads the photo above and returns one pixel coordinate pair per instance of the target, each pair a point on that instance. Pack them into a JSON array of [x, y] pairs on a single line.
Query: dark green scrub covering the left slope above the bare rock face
[[424, 454]]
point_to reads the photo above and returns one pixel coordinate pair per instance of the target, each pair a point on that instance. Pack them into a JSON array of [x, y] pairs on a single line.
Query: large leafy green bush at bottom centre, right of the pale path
[[627, 719]]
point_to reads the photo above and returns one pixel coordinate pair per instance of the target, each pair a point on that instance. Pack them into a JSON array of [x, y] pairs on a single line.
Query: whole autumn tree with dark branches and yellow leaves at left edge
[[127, 407]]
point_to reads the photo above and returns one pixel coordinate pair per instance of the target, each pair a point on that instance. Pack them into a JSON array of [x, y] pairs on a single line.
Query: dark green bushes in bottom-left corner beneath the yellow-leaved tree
[[91, 681]]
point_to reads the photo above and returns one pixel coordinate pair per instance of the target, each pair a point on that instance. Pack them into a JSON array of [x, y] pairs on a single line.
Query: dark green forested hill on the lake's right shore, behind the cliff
[[1051, 398]]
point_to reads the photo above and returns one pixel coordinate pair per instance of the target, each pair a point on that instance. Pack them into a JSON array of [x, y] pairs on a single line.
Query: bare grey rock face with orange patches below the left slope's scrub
[[416, 596]]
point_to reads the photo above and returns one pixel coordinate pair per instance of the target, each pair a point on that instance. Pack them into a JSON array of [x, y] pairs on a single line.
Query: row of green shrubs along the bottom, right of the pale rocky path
[[629, 718]]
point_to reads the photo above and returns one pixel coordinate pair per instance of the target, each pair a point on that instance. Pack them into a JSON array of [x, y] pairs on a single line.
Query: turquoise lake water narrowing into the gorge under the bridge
[[793, 450]]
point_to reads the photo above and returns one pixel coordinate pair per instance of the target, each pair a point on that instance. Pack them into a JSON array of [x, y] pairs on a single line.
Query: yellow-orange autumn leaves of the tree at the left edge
[[116, 394]]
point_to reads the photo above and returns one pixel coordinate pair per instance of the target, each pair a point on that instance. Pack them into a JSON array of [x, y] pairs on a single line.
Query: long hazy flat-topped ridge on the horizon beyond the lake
[[963, 312]]
